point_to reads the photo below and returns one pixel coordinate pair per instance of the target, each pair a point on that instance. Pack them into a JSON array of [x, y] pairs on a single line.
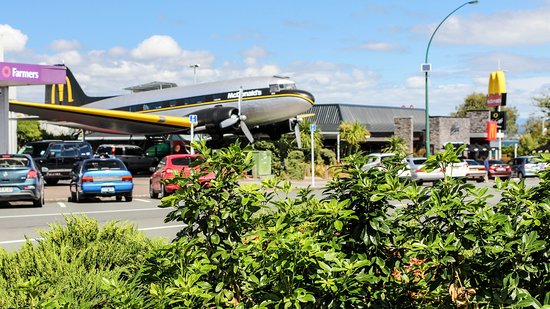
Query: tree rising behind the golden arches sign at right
[[478, 101]]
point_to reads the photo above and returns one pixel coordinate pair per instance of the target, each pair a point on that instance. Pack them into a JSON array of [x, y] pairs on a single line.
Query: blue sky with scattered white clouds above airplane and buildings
[[358, 52]]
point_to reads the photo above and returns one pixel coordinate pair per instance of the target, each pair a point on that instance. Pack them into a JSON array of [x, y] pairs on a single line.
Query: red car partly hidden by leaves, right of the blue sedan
[[167, 168]]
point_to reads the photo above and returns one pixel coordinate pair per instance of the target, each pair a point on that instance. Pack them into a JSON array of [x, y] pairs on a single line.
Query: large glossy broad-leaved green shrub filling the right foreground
[[374, 240]]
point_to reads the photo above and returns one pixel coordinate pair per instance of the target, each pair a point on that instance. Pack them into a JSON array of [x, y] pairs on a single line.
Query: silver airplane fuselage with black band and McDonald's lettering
[[265, 100]]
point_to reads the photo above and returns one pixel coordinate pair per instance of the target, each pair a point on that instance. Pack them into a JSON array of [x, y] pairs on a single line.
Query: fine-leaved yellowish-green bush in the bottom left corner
[[67, 266]]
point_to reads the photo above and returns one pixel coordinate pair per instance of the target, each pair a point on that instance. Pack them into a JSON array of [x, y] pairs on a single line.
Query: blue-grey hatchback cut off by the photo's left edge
[[20, 179]]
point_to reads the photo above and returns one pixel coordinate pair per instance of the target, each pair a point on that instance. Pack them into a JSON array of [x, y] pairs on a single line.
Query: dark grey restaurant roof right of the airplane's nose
[[376, 118]]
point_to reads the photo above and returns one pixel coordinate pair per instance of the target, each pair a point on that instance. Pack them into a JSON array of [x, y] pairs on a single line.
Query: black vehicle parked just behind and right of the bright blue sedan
[[132, 156]]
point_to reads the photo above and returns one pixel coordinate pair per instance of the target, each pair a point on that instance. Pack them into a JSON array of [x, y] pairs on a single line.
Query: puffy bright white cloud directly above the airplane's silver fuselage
[[157, 46]]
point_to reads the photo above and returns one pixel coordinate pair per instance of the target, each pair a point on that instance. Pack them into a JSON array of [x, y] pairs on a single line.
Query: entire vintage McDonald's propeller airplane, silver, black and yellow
[[270, 105]]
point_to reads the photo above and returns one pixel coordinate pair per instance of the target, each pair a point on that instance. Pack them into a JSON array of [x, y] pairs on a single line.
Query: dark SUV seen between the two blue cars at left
[[56, 158]]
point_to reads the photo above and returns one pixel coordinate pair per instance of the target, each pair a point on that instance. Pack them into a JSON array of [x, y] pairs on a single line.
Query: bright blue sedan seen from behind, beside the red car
[[101, 177]]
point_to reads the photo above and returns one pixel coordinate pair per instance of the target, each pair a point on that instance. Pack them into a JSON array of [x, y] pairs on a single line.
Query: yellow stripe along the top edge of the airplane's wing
[[182, 122]]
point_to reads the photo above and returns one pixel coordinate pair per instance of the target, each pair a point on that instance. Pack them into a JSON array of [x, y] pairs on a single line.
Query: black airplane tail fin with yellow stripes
[[69, 93]]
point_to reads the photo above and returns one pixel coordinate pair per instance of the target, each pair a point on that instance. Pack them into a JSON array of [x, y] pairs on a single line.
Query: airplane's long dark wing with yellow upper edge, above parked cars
[[101, 120]]
